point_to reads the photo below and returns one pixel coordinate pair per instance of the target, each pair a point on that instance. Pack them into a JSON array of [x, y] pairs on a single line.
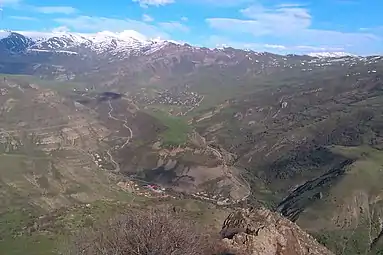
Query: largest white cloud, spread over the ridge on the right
[[290, 23]]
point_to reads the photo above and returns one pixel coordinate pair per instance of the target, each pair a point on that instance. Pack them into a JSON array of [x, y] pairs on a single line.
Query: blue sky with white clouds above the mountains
[[281, 26]]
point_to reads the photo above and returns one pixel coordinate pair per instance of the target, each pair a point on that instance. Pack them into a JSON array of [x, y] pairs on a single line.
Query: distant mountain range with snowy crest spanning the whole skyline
[[127, 59]]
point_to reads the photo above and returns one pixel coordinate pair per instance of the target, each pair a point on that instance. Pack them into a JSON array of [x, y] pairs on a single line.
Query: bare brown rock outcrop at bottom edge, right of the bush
[[261, 232]]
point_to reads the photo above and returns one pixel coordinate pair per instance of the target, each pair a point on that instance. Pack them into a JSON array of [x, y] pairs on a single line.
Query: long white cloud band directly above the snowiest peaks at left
[[89, 24]]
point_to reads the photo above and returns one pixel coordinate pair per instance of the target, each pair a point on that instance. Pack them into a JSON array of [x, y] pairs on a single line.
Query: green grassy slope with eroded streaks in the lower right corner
[[349, 217]]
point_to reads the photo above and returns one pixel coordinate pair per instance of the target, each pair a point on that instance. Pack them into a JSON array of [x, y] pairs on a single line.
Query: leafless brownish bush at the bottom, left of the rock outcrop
[[153, 232]]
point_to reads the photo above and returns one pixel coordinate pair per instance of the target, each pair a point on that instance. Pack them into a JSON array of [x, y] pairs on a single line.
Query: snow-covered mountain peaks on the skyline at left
[[72, 43]]
